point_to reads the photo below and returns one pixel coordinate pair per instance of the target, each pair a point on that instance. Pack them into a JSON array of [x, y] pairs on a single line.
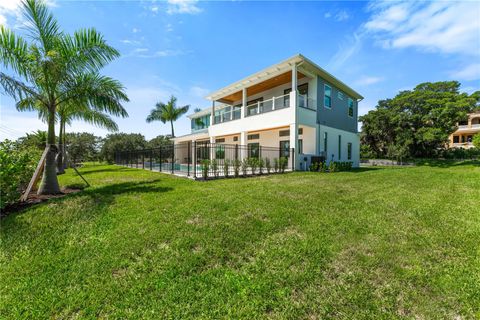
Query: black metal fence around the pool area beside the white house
[[210, 160]]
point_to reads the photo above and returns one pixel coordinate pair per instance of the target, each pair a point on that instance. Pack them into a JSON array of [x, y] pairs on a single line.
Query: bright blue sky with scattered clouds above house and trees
[[190, 48]]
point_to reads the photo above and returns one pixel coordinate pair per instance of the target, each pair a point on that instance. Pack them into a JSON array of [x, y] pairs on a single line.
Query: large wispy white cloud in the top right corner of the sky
[[443, 26]]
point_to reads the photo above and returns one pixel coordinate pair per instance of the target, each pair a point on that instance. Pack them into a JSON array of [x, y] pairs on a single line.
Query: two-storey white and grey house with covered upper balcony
[[293, 104]]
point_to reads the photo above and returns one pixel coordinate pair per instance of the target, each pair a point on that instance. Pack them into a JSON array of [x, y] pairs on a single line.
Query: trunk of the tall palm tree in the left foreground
[[49, 183]]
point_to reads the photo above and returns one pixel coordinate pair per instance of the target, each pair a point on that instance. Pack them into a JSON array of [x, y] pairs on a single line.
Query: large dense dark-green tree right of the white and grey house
[[416, 123]]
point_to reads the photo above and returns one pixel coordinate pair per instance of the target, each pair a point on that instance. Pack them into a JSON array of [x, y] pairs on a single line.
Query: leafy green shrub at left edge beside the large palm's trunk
[[17, 166]]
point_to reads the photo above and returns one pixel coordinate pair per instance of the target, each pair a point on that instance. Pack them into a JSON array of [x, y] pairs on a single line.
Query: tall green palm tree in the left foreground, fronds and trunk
[[55, 69]]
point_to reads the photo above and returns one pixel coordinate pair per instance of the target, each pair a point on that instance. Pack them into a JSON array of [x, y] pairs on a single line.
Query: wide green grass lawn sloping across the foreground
[[376, 243]]
